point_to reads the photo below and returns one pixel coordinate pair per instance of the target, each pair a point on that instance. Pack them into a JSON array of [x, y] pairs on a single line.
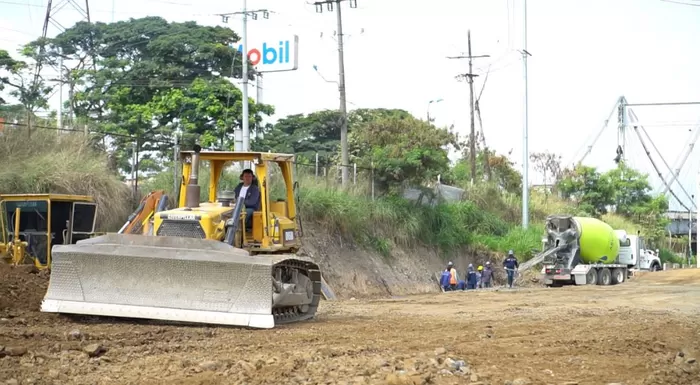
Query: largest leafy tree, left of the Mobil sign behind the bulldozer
[[137, 77]]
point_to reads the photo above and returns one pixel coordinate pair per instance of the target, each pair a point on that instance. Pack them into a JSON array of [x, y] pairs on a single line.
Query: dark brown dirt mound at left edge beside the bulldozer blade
[[22, 288]]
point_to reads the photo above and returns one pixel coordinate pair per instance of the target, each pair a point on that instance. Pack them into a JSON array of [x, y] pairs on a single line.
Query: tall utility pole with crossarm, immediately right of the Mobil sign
[[345, 158]]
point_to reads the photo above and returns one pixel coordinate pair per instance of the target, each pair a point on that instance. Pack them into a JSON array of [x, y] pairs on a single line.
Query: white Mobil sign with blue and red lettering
[[273, 55]]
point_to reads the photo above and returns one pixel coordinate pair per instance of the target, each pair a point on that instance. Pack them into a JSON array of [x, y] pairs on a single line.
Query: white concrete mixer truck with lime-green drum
[[587, 251]]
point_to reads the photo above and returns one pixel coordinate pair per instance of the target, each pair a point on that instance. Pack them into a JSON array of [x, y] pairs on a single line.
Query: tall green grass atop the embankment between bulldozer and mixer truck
[[392, 221]]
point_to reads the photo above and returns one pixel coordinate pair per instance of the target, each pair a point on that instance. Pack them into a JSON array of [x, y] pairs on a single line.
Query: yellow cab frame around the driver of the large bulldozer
[[274, 220]]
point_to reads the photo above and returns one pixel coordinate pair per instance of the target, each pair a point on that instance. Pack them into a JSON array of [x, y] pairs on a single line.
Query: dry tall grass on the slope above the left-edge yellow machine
[[61, 163]]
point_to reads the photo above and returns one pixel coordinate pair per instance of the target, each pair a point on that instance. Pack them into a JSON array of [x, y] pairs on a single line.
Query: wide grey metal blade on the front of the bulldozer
[[161, 278]]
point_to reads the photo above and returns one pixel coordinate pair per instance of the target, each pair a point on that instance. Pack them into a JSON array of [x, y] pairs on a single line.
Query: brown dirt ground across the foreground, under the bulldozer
[[646, 331]]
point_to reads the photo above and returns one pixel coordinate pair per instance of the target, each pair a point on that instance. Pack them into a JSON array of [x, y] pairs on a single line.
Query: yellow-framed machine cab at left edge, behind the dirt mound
[[30, 224]]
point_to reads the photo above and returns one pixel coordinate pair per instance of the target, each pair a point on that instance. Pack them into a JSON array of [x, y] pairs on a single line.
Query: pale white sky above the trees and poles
[[584, 56]]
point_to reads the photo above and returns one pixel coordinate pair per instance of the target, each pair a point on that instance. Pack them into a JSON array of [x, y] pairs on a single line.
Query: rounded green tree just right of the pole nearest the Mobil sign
[[401, 150]]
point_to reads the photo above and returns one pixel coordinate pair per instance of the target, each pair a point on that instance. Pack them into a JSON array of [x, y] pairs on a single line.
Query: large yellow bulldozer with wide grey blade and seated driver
[[226, 261]]
